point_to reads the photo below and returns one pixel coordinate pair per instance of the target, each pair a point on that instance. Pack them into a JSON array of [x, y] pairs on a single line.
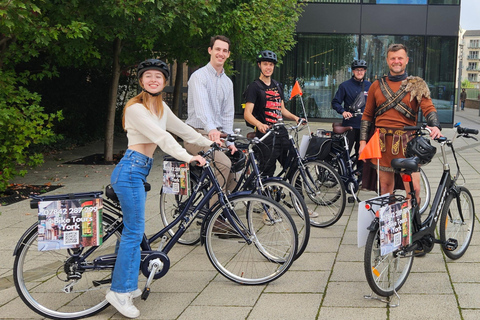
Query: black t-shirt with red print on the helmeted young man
[[267, 100]]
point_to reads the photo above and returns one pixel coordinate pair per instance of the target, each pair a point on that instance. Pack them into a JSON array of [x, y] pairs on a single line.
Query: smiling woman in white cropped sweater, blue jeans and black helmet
[[146, 119]]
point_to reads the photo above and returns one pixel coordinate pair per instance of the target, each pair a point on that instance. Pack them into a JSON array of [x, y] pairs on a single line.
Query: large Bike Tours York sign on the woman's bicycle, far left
[[73, 223]]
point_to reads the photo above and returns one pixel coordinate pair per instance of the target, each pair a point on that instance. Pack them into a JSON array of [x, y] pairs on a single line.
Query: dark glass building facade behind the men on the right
[[331, 34]]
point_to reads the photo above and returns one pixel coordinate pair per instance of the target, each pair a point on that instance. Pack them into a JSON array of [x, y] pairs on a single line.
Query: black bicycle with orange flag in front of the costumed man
[[453, 204]]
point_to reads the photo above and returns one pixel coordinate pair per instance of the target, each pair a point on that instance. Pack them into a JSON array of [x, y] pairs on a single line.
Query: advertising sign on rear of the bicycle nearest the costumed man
[[395, 227]]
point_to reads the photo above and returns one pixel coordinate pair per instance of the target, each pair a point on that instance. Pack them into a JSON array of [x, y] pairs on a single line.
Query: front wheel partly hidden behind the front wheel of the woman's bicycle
[[291, 200]]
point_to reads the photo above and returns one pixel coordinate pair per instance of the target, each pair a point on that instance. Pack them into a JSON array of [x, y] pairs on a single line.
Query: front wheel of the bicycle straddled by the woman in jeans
[[272, 249]]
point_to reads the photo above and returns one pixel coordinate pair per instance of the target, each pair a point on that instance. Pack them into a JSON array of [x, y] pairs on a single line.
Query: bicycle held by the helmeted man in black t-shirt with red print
[[318, 182]]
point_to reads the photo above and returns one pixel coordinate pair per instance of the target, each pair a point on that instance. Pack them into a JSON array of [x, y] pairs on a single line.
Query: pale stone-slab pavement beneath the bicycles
[[327, 282]]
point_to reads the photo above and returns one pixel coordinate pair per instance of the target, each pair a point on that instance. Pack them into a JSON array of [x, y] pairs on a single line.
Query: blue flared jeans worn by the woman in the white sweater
[[127, 181]]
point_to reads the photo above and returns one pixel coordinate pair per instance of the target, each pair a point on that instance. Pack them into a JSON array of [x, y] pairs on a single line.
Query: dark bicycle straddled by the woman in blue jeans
[[72, 283]]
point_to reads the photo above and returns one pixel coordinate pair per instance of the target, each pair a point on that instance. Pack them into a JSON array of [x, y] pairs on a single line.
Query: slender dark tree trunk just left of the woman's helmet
[[112, 104]]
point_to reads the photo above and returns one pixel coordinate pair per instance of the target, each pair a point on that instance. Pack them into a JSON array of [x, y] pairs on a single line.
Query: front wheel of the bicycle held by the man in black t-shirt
[[329, 199]]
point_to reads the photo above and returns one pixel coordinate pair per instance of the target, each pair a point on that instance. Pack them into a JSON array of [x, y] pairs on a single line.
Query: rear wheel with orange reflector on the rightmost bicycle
[[385, 274]]
